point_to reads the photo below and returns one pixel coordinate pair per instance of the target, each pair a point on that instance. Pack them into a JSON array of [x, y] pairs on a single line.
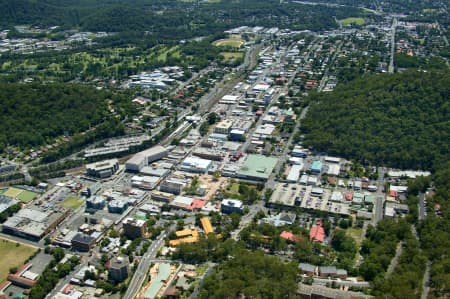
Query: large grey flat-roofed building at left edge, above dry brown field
[[33, 224]]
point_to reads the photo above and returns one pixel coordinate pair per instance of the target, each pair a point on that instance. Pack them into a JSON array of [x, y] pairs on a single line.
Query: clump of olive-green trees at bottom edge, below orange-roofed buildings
[[251, 275]]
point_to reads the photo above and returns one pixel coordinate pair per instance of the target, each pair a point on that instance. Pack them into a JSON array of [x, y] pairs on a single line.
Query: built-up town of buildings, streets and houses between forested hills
[[222, 158]]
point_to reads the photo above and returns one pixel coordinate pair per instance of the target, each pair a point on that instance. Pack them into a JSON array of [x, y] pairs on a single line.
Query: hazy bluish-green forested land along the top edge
[[169, 18]]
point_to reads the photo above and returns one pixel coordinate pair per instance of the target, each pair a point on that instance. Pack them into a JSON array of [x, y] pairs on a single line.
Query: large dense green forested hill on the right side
[[399, 120]]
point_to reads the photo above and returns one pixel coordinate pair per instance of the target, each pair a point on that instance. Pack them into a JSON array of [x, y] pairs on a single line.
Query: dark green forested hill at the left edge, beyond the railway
[[34, 114]]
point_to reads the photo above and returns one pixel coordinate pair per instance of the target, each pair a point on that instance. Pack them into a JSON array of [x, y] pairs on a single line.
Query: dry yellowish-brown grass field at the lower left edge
[[12, 255]]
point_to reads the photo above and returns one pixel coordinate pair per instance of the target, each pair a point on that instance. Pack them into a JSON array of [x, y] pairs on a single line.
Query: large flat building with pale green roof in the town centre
[[257, 167]]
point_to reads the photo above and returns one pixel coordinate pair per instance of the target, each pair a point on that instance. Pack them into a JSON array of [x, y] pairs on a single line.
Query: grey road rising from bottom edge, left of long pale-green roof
[[143, 267]]
